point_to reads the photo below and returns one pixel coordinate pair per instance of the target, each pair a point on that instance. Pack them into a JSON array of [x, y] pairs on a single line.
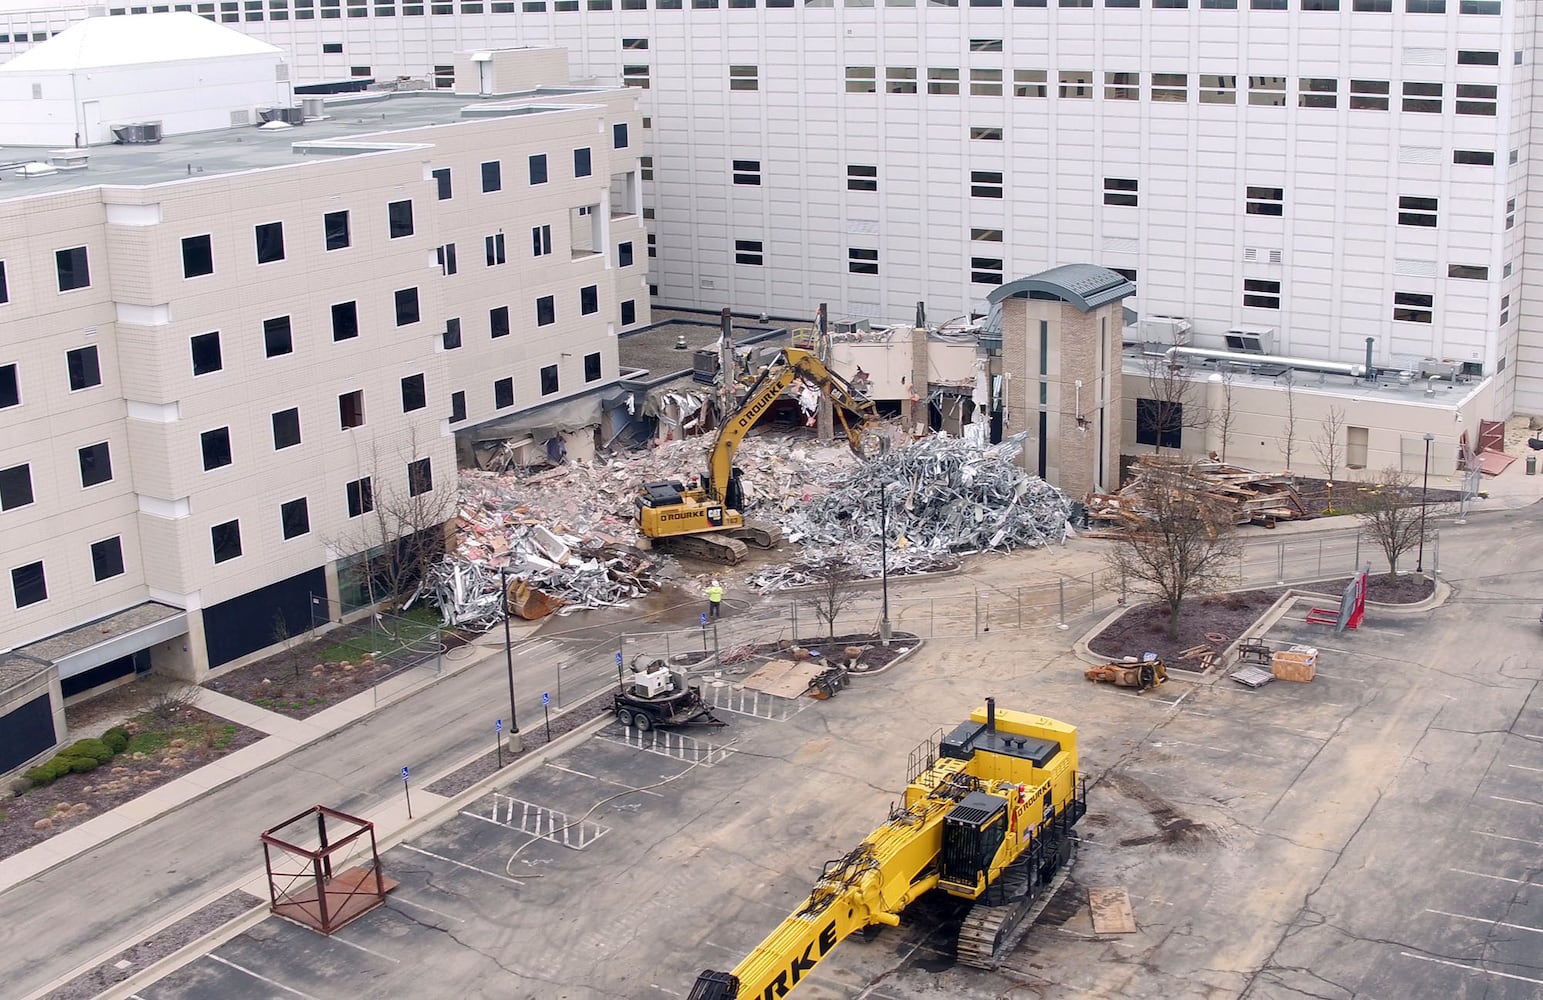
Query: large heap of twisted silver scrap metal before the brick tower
[[947, 499]]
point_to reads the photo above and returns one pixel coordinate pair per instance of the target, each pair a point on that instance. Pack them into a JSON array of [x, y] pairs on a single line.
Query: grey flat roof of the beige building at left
[[234, 150]]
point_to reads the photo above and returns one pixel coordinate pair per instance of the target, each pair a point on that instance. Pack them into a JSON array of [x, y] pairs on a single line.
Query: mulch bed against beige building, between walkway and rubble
[[317, 675]]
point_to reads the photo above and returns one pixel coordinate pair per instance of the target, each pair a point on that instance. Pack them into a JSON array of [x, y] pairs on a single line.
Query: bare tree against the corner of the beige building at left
[[402, 530]]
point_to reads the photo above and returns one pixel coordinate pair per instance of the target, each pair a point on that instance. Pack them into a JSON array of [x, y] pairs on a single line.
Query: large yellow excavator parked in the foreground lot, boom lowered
[[988, 817]]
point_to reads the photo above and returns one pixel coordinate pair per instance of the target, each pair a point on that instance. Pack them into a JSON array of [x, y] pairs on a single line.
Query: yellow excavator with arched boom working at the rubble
[[704, 521]]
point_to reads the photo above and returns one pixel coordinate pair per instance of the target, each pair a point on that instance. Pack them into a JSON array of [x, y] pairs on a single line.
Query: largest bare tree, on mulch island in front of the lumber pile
[[1184, 546]]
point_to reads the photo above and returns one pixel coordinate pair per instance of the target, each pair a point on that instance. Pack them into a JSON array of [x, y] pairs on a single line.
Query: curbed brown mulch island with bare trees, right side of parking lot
[[1218, 620]]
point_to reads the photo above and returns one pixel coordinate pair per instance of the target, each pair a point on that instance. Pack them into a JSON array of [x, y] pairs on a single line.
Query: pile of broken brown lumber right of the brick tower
[[1252, 498]]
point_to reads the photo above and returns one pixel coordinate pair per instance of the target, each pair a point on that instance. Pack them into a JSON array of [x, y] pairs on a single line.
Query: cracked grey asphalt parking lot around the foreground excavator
[[1372, 834]]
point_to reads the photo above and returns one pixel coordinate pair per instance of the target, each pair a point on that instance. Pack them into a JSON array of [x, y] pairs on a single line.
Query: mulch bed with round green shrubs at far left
[[157, 755]]
